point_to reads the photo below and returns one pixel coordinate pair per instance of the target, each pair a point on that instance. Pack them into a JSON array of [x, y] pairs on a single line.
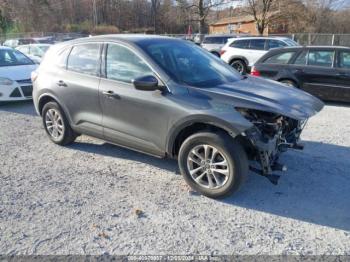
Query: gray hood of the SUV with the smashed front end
[[266, 95]]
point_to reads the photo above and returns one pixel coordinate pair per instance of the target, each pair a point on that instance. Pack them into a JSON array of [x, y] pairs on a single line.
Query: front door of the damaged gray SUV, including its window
[[133, 118]]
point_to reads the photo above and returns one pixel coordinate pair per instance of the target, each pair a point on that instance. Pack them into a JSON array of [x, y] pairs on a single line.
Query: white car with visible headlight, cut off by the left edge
[[15, 71]]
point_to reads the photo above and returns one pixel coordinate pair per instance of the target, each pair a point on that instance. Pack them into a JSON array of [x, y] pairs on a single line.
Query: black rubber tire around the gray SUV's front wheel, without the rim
[[231, 150]]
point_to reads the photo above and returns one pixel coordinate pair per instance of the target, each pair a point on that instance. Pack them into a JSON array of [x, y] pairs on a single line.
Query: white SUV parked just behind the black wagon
[[242, 53]]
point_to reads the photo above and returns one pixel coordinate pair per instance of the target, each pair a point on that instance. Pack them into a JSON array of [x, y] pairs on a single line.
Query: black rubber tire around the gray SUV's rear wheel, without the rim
[[68, 135]]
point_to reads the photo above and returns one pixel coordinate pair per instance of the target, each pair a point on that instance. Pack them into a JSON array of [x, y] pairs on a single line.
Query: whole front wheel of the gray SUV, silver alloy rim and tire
[[213, 164]]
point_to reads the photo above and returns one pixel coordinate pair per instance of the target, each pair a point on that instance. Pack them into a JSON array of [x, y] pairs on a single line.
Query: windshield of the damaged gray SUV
[[187, 63]]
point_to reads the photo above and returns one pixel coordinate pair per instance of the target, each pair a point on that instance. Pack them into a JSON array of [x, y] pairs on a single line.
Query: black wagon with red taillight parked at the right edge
[[323, 71]]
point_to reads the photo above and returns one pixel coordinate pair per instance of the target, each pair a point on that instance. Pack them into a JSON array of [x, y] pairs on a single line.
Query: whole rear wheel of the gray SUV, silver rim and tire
[[56, 125]]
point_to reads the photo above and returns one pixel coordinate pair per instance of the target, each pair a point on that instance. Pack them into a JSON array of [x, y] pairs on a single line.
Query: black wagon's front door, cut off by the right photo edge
[[342, 92]]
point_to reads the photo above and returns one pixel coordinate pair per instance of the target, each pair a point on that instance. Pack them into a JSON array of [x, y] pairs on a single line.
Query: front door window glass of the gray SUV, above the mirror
[[123, 65]]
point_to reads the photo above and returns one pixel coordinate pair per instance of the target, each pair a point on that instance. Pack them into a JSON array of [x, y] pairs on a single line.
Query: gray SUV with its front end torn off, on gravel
[[169, 98]]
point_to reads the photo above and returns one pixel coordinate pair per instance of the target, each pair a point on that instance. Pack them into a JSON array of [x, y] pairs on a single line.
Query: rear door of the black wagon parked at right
[[319, 76]]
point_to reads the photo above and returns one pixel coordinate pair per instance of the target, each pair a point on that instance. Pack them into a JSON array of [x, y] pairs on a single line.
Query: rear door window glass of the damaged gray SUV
[[85, 59]]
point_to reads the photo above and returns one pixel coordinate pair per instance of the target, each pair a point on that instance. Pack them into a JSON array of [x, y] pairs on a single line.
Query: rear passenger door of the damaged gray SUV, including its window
[[77, 86]]
